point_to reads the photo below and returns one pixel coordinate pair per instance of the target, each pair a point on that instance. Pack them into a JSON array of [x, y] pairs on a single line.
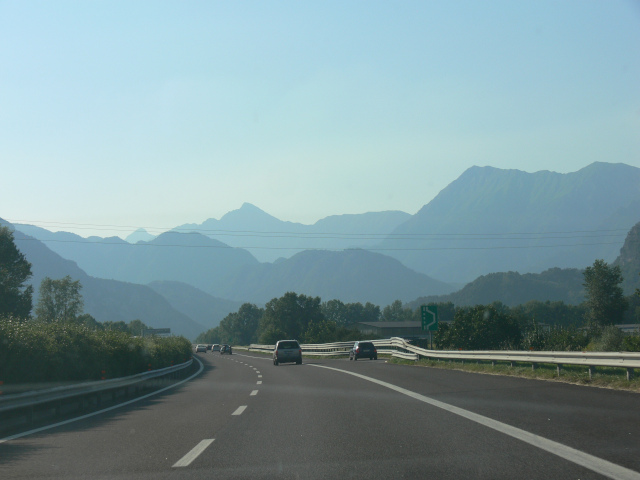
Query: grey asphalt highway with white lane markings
[[243, 417]]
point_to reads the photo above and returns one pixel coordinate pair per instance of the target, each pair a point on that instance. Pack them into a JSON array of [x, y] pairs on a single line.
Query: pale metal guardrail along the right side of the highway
[[398, 347]]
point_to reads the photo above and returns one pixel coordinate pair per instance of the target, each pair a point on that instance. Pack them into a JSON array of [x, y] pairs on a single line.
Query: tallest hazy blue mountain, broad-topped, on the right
[[492, 220]]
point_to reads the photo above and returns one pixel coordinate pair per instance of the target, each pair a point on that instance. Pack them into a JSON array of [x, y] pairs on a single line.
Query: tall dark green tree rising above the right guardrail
[[605, 299]]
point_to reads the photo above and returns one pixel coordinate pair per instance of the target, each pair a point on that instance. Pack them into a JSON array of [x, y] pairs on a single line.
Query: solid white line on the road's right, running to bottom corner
[[578, 457]]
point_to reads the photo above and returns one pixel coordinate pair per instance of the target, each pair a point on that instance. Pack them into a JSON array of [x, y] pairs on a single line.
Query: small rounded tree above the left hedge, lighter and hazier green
[[60, 300]]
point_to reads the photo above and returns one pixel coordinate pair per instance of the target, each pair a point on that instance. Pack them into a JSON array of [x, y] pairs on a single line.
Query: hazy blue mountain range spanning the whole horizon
[[489, 220]]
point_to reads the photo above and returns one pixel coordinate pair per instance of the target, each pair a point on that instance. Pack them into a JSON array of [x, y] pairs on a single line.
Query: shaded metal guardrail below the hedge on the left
[[25, 404]]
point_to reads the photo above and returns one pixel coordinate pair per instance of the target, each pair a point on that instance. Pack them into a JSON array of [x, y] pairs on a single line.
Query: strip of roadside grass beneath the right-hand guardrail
[[605, 377]]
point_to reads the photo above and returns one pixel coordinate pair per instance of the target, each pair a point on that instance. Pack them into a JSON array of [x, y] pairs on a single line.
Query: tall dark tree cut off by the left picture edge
[[16, 298]]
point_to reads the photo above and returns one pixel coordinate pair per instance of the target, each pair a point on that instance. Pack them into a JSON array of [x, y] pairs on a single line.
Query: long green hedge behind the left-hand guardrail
[[34, 352]]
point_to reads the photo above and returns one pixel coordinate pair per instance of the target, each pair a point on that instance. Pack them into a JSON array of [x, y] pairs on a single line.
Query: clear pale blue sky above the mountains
[[158, 113]]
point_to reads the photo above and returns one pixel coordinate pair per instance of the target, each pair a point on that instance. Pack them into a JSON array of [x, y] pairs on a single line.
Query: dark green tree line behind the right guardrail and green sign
[[534, 325]]
